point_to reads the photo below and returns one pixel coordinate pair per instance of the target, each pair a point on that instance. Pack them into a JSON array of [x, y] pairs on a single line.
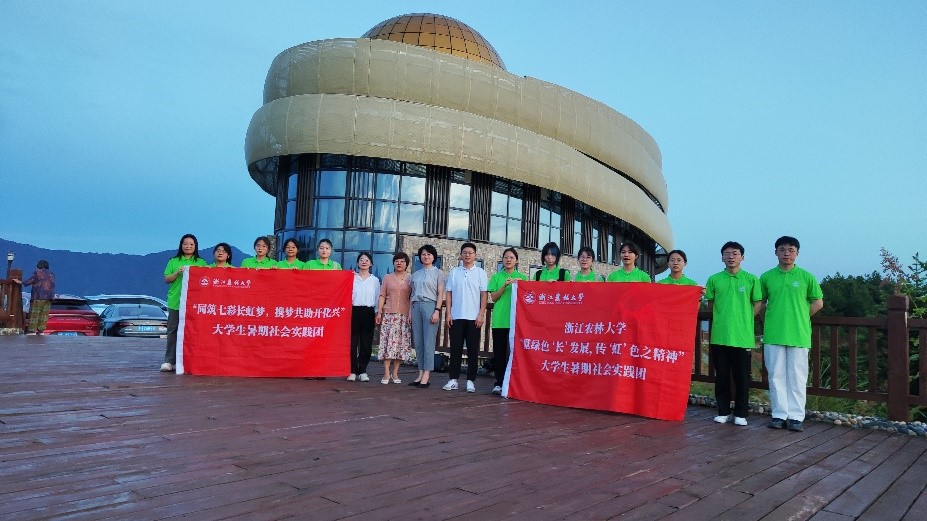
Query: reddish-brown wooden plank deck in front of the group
[[89, 429]]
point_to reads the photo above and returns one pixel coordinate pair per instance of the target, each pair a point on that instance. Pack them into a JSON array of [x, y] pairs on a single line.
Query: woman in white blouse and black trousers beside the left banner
[[364, 297]]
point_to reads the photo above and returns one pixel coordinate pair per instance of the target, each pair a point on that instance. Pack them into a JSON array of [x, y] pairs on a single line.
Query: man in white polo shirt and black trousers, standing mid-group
[[466, 307]]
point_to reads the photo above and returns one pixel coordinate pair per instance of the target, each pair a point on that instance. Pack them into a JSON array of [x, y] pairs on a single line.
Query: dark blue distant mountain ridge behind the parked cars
[[80, 273]]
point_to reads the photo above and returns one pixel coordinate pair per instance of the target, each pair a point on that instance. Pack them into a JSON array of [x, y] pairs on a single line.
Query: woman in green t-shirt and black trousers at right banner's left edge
[[500, 289]]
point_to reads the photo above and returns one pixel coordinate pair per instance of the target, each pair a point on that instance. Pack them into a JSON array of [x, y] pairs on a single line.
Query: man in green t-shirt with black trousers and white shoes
[[734, 298]]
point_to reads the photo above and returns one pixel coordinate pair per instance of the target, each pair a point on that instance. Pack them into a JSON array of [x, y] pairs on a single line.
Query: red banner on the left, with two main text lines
[[278, 323]]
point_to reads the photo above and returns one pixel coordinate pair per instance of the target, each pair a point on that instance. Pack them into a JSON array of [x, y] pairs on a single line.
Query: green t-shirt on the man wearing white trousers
[[788, 297]]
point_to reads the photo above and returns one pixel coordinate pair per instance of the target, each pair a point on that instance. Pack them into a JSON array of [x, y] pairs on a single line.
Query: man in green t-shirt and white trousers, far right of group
[[792, 297]]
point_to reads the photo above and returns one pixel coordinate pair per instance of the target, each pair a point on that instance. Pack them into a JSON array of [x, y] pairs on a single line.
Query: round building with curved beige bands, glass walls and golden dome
[[417, 133]]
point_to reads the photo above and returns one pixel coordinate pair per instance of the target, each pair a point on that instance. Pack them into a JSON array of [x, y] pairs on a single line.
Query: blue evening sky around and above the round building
[[122, 124]]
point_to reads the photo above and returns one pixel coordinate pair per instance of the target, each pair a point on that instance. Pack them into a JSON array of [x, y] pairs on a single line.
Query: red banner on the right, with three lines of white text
[[618, 347]]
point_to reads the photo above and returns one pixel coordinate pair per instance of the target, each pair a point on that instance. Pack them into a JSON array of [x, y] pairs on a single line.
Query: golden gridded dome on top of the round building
[[438, 32]]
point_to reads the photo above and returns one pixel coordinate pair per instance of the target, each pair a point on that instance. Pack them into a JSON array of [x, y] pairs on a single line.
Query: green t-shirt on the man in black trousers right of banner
[[732, 309]]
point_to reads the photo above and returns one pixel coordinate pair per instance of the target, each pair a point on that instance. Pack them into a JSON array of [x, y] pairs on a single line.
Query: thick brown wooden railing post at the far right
[[898, 358]]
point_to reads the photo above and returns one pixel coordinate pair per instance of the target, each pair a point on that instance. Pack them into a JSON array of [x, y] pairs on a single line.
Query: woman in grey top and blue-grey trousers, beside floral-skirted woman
[[427, 295]]
